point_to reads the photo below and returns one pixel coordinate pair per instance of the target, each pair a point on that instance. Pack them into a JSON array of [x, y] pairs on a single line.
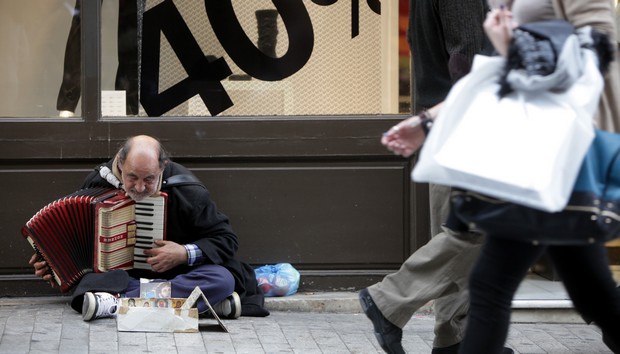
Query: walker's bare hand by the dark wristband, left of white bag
[[404, 138]]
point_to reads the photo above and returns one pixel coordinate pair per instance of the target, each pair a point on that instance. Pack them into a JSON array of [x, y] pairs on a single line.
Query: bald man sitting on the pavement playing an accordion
[[199, 250]]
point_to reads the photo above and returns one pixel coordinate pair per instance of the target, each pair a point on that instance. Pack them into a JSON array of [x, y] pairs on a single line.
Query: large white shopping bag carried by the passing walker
[[525, 148]]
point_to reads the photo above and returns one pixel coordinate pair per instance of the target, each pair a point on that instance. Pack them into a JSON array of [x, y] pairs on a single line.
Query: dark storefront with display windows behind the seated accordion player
[[277, 106]]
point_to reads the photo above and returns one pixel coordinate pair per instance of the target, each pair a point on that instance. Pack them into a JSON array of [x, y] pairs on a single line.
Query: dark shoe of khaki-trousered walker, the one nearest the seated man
[[388, 334]]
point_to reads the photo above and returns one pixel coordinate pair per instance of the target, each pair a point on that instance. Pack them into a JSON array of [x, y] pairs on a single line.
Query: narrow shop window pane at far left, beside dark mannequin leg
[[33, 34]]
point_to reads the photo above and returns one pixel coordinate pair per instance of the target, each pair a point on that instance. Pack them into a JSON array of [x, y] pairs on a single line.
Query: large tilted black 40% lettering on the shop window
[[204, 76]]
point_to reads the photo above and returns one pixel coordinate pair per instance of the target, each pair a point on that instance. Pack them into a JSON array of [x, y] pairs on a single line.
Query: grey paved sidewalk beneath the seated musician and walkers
[[302, 323]]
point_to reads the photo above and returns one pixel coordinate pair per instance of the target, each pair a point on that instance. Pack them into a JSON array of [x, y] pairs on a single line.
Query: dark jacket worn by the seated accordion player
[[192, 217]]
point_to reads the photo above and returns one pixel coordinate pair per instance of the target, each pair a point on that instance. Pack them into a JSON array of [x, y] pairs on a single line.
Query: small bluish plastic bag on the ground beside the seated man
[[278, 280]]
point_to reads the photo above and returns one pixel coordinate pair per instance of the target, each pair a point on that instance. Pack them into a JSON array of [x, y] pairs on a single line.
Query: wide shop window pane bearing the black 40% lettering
[[249, 58]]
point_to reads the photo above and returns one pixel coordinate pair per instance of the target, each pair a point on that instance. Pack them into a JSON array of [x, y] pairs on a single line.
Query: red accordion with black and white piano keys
[[95, 229]]
